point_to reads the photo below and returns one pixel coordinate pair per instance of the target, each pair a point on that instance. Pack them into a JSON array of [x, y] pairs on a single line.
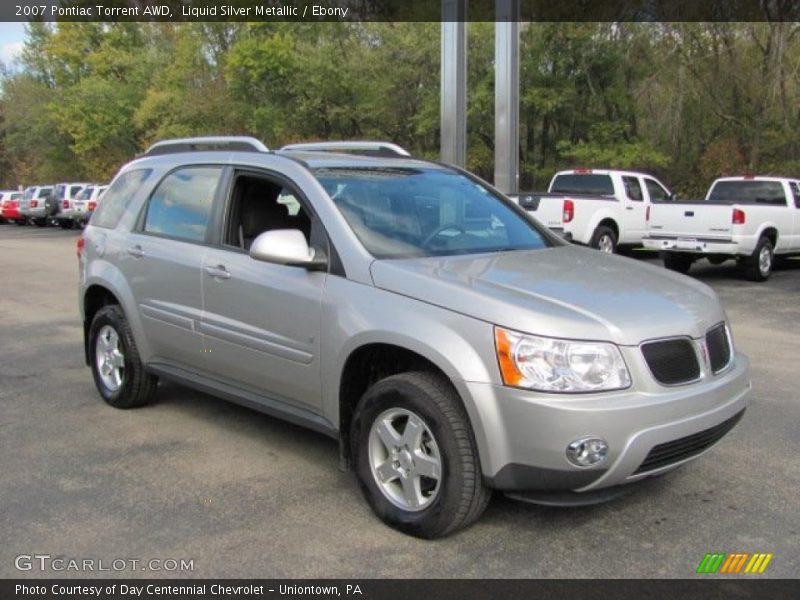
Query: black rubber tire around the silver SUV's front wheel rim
[[462, 496]]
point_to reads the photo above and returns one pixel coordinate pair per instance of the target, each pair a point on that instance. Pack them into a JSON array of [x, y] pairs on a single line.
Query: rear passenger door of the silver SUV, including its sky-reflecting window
[[163, 264]]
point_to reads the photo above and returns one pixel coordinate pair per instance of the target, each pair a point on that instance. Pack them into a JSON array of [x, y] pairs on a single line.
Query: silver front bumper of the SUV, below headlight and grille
[[524, 434]]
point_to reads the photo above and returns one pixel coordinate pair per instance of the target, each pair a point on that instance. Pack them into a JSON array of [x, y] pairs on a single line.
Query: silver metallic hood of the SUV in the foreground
[[566, 291]]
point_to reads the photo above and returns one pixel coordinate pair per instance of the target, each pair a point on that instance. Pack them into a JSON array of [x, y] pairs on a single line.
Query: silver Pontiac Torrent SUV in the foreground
[[407, 309]]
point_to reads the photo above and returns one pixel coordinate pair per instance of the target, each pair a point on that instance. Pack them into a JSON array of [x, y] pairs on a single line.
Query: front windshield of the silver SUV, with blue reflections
[[399, 212]]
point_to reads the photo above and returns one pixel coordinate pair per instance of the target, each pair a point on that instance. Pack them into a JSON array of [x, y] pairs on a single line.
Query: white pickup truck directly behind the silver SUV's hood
[[601, 208]]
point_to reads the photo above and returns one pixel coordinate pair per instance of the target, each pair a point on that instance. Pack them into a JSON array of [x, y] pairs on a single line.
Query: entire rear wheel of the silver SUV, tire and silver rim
[[118, 372]]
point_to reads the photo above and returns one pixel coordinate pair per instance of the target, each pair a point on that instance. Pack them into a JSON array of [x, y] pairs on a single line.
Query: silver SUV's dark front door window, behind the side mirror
[[259, 204]]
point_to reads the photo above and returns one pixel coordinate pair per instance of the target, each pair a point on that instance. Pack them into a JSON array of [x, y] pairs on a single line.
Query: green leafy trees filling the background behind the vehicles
[[686, 101]]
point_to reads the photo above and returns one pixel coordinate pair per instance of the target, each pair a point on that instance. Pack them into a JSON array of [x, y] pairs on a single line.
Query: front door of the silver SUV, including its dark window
[[262, 321]]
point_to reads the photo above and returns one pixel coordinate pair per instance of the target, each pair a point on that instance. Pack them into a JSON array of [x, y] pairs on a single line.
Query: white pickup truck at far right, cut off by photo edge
[[749, 219]]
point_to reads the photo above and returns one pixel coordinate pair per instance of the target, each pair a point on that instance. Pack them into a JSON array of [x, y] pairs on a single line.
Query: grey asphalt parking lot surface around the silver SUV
[[246, 495]]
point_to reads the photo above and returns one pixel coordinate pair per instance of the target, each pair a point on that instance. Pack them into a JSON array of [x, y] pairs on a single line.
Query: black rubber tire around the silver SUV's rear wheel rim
[[137, 387]]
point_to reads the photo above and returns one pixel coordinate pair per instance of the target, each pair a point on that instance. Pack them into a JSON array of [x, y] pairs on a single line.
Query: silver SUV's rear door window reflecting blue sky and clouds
[[180, 206]]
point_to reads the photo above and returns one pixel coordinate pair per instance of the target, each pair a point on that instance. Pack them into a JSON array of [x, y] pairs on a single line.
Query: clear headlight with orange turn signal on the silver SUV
[[554, 365]]
